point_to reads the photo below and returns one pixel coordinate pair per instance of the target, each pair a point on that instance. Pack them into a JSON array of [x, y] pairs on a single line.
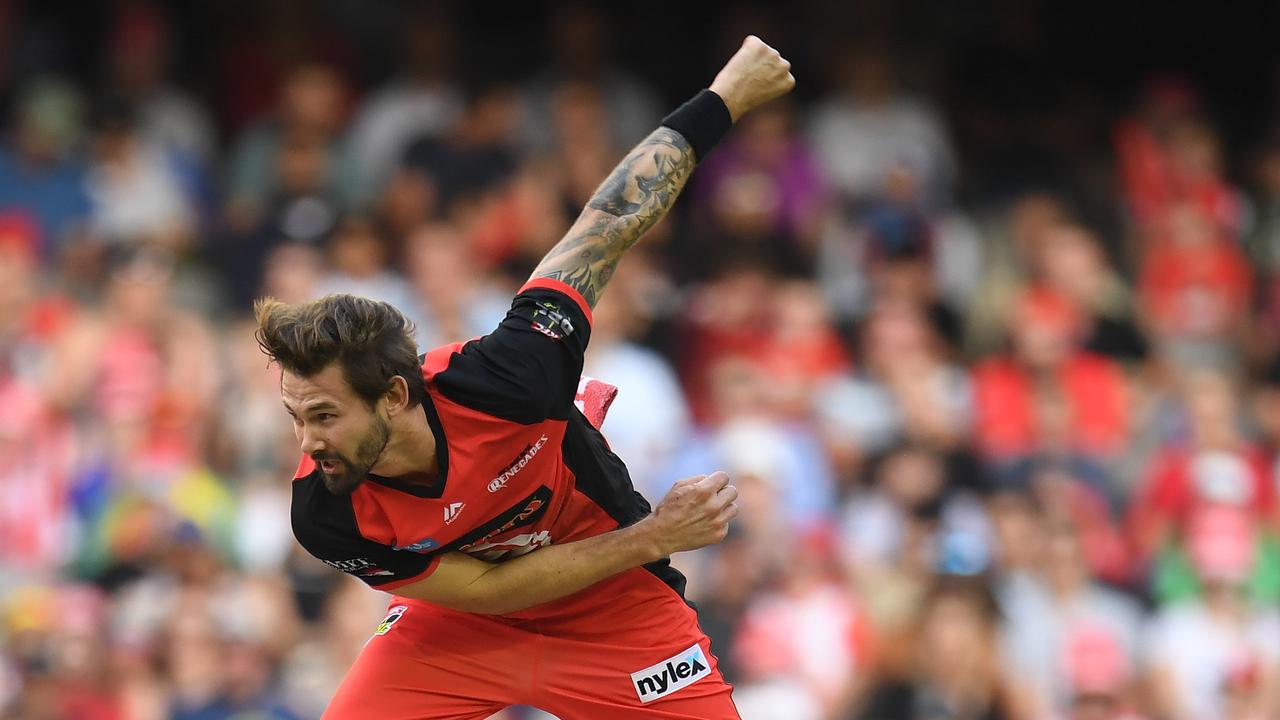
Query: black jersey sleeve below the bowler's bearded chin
[[326, 526]]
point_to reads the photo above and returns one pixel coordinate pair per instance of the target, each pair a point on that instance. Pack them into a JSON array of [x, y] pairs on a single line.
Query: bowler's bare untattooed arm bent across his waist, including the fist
[[694, 513]]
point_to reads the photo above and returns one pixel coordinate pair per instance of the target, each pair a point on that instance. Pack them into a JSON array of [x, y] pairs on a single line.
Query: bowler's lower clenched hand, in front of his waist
[[696, 513]]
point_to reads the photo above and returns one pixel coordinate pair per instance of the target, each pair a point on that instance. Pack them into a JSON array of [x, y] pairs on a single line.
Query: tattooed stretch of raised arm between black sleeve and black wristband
[[636, 197]]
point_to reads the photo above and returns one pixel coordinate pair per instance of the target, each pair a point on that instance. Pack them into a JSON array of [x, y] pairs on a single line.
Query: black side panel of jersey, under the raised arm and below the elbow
[[604, 477]]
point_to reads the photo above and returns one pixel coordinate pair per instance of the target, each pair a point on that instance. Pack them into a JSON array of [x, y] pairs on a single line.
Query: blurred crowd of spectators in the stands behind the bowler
[[985, 321]]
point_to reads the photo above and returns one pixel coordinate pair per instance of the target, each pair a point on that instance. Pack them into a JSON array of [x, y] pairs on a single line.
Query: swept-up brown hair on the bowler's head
[[372, 341]]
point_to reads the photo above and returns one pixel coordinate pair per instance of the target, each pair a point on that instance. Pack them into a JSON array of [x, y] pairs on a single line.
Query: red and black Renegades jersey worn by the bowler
[[522, 467]]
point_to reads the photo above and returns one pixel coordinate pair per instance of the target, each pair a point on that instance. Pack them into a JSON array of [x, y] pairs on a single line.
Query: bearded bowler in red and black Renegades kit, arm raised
[[527, 569]]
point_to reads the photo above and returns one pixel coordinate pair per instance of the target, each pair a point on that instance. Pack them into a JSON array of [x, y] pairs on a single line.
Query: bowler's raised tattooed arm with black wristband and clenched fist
[[646, 184]]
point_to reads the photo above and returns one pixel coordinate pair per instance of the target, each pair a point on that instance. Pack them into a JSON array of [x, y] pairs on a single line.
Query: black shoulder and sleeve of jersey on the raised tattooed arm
[[519, 373]]
